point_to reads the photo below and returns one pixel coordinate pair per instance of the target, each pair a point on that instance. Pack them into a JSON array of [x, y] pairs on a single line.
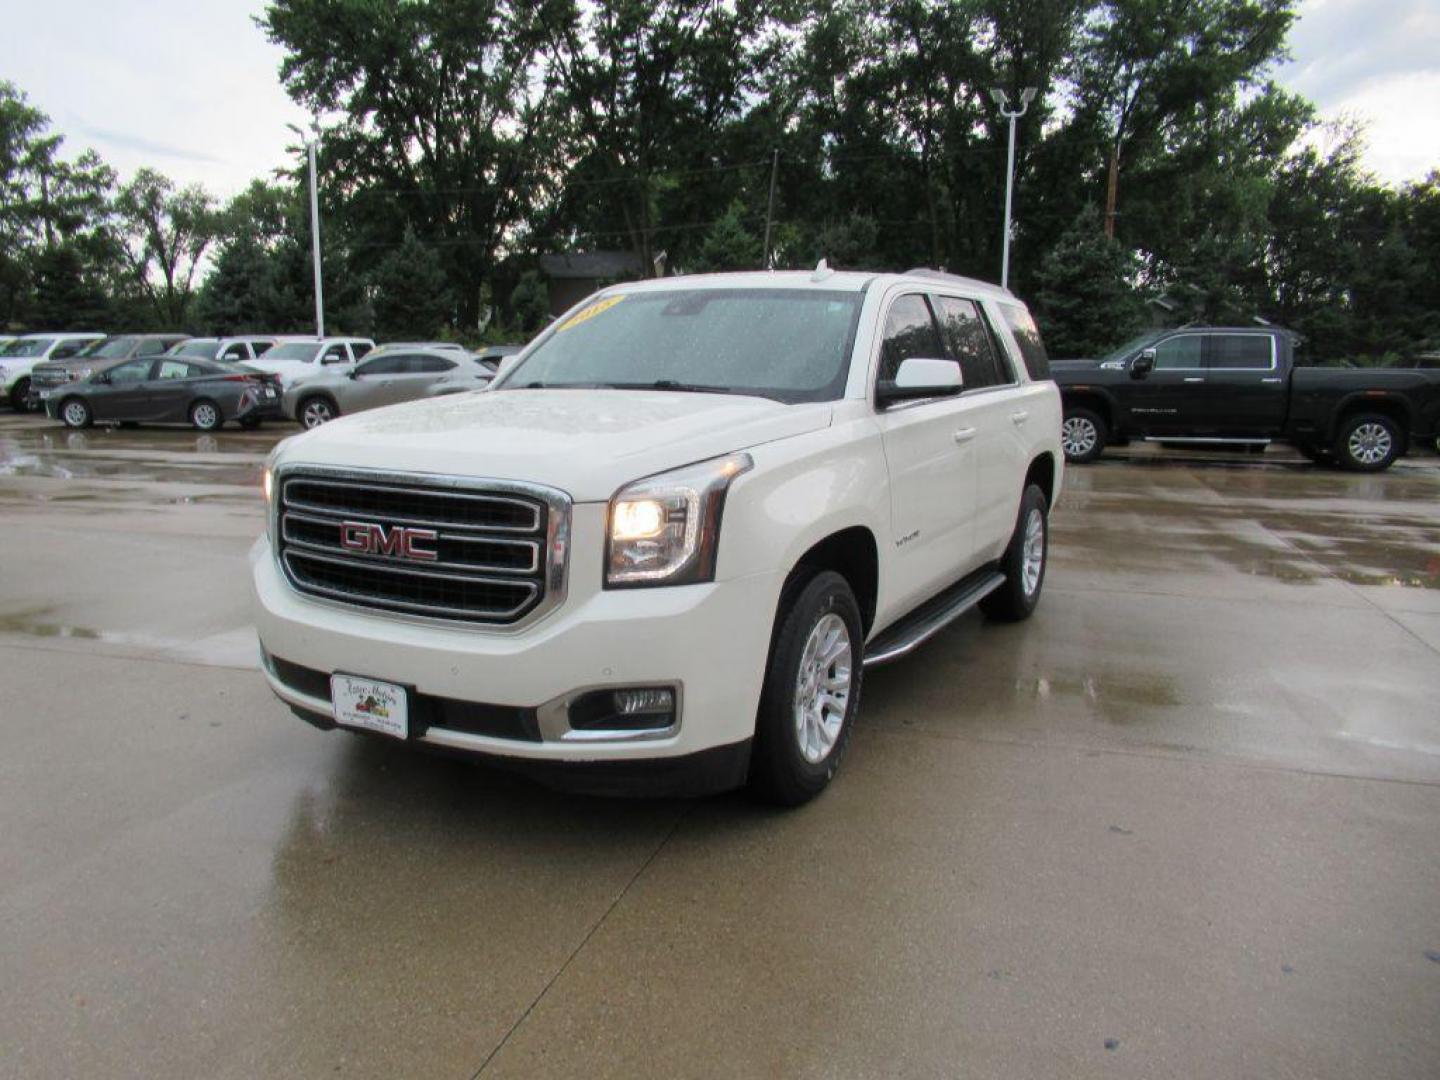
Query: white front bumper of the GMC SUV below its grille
[[709, 642]]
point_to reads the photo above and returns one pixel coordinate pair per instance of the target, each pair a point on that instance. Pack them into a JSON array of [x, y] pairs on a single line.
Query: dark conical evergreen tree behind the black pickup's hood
[[1086, 296]]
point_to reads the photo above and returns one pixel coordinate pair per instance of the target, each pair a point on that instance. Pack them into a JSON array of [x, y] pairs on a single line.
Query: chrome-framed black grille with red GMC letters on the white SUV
[[421, 548]]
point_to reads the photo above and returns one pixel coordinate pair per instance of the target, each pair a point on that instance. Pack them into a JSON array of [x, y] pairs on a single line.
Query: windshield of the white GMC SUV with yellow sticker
[[790, 345]]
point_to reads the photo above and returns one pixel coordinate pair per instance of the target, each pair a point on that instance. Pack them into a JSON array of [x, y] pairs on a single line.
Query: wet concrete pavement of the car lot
[[1183, 823]]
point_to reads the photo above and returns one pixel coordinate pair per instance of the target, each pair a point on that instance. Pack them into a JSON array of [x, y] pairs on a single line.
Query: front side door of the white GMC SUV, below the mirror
[[931, 459]]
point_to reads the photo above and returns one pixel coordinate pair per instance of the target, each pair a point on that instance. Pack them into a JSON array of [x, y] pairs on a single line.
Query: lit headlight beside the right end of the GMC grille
[[665, 531]]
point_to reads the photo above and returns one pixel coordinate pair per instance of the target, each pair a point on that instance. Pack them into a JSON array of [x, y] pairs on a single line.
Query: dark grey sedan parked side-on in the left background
[[168, 390]]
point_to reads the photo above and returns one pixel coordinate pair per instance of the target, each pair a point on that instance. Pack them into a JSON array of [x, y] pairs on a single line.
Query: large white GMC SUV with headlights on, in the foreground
[[659, 554]]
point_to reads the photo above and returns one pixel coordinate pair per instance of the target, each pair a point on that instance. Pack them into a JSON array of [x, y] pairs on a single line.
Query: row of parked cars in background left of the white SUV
[[83, 378]]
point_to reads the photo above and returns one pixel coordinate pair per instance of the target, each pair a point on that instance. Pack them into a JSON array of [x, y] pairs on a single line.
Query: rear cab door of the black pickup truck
[[1245, 388]]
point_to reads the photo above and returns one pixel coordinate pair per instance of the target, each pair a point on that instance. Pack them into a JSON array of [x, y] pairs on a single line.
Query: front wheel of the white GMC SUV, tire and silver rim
[[811, 692]]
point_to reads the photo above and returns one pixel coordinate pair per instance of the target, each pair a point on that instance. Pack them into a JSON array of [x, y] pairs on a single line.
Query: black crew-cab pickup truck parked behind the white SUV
[[1243, 385]]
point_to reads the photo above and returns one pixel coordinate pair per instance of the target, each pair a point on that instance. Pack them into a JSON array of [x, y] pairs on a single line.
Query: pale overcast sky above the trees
[[192, 89]]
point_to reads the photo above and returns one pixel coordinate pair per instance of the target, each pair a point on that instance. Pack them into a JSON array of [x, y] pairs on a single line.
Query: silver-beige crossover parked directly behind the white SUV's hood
[[388, 377]]
